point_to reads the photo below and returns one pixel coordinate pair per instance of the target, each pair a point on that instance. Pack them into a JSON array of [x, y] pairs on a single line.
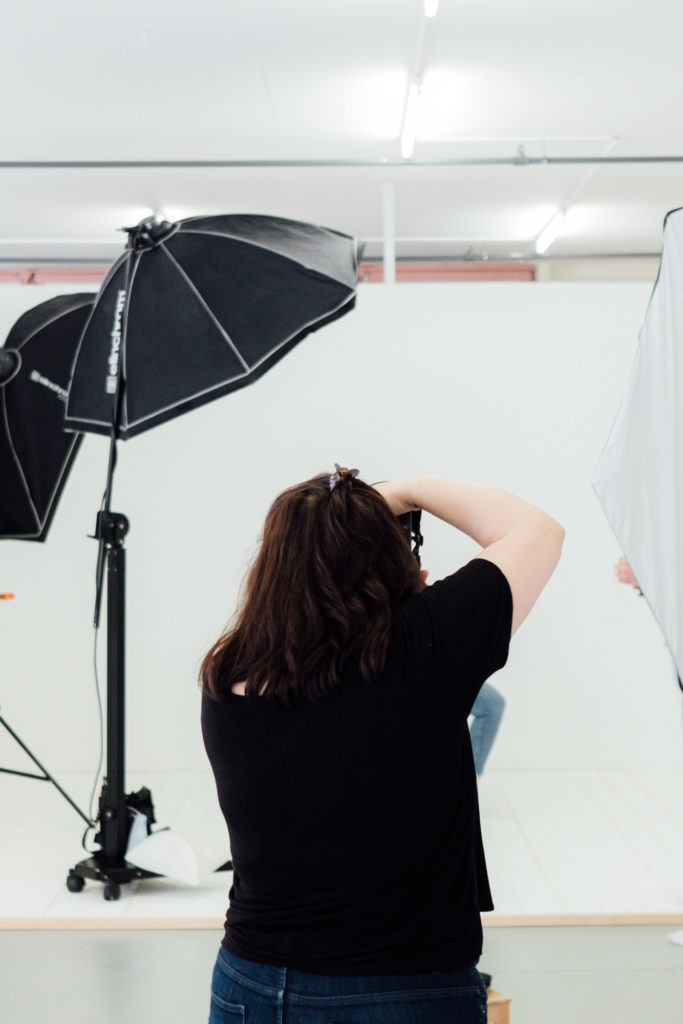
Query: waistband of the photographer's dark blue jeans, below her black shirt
[[269, 979]]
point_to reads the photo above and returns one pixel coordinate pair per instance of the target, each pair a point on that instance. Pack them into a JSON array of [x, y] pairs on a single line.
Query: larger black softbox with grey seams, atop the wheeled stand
[[201, 308]]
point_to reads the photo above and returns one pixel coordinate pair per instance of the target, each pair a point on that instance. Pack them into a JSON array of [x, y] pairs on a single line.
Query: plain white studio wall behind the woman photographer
[[511, 385]]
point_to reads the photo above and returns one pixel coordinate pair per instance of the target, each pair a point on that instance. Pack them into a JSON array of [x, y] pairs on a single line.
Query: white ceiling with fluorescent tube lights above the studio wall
[[304, 103]]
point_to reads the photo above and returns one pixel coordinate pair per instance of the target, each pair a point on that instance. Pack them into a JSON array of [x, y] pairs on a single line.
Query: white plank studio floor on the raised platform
[[562, 847]]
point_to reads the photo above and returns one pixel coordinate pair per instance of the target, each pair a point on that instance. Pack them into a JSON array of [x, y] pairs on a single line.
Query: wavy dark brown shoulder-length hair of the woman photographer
[[331, 566]]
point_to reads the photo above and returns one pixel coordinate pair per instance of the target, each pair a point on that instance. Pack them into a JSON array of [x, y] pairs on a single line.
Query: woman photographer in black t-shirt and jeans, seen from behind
[[335, 719]]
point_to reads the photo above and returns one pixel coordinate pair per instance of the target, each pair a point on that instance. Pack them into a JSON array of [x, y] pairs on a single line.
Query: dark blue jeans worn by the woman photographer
[[244, 993]]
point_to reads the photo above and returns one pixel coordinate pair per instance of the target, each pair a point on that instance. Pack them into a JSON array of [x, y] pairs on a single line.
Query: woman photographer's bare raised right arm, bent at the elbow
[[518, 537]]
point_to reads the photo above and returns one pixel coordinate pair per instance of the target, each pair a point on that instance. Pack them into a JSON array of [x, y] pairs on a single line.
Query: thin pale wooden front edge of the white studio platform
[[217, 924]]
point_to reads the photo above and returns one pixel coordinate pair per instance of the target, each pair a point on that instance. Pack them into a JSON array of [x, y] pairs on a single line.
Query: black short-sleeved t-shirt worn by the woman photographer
[[355, 824]]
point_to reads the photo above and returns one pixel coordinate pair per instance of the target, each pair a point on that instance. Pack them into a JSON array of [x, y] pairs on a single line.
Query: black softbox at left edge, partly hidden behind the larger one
[[36, 454]]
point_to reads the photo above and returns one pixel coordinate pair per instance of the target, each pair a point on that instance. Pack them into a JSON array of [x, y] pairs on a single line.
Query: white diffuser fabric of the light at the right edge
[[639, 479]]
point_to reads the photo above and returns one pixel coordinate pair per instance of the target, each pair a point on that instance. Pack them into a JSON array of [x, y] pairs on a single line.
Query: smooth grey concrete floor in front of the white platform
[[554, 976]]
